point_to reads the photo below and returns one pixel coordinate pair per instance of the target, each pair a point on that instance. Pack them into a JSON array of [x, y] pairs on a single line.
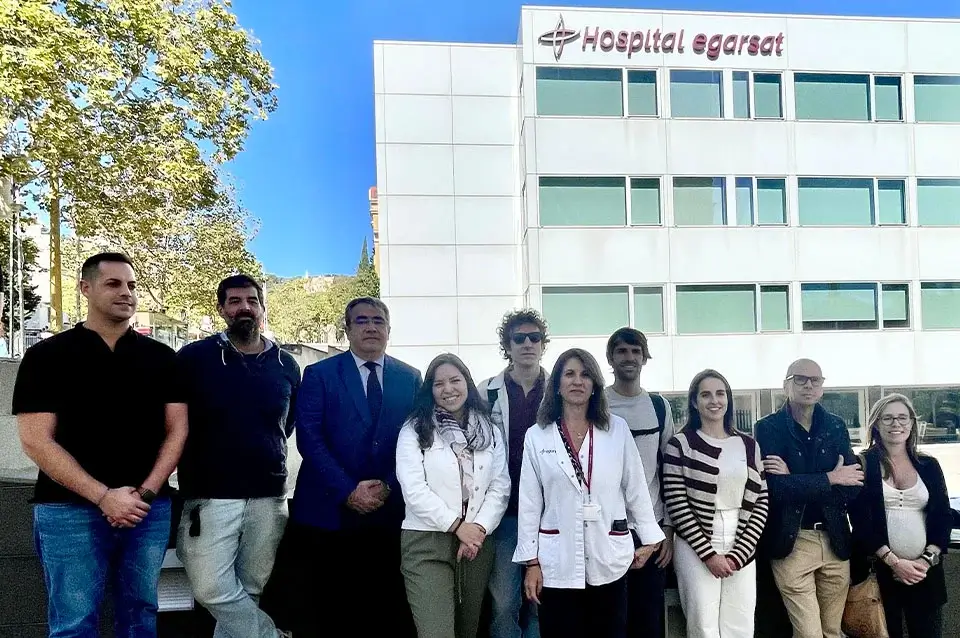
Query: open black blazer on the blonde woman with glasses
[[869, 521]]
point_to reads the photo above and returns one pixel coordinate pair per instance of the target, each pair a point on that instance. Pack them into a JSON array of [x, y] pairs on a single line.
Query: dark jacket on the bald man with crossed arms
[[777, 435]]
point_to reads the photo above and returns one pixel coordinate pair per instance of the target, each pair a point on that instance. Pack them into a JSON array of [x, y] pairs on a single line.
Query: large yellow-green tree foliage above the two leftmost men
[[119, 115]]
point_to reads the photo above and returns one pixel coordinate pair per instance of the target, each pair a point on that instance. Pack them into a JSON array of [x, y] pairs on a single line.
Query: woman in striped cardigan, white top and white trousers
[[716, 494]]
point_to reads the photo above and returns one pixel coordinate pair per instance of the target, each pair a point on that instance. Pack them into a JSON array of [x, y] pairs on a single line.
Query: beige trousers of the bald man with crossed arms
[[814, 583]]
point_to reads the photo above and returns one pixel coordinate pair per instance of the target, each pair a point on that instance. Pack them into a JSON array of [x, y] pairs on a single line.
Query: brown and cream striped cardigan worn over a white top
[[690, 471]]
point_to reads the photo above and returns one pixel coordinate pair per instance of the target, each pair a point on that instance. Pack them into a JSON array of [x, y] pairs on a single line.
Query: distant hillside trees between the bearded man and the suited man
[[301, 310]]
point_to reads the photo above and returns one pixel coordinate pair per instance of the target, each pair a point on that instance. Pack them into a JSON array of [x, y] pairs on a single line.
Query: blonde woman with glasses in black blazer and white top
[[902, 521]]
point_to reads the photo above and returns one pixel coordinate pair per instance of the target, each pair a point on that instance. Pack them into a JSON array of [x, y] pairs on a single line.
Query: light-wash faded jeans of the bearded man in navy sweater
[[230, 560]]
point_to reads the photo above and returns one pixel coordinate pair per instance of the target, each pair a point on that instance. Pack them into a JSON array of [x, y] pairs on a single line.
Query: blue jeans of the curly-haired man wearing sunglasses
[[506, 588]]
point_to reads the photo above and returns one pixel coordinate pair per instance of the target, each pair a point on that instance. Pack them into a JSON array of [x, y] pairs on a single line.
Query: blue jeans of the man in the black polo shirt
[[80, 552]]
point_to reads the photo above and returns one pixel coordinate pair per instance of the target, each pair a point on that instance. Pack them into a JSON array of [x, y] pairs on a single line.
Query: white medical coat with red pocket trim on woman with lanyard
[[573, 553]]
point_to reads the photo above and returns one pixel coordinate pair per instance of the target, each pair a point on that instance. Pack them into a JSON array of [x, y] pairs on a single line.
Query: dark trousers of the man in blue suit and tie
[[344, 574]]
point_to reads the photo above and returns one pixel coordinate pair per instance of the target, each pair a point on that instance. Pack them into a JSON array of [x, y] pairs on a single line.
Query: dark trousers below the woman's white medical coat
[[597, 612]]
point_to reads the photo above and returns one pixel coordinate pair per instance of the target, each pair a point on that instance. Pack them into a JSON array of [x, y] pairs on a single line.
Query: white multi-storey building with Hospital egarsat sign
[[745, 189]]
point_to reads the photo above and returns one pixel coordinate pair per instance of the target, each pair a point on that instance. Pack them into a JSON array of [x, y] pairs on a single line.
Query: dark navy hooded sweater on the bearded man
[[241, 413]]
